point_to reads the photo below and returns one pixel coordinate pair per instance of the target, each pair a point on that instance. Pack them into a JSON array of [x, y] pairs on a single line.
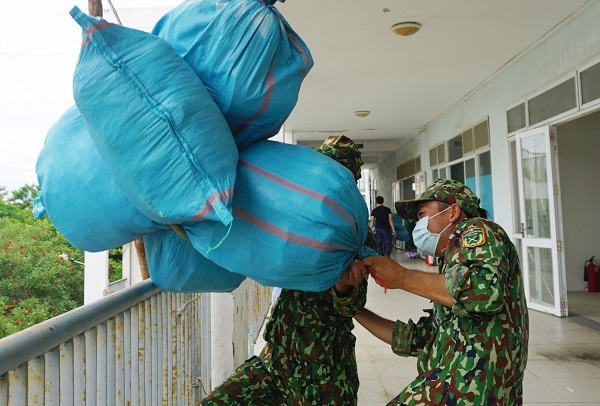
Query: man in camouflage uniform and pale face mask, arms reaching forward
[[472, 347]]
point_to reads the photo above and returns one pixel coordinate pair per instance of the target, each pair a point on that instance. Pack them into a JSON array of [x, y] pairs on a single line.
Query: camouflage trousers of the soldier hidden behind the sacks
[[253, 384]]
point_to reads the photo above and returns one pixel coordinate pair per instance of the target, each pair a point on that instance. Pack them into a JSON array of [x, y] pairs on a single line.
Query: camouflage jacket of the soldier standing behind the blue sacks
[[309, 334]]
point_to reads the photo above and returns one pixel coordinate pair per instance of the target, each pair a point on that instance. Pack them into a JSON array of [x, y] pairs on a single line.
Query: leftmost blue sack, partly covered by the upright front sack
[[77, 193]]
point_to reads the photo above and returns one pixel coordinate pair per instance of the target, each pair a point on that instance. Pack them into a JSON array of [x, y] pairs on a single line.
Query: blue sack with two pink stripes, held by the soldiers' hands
[[299, 219]]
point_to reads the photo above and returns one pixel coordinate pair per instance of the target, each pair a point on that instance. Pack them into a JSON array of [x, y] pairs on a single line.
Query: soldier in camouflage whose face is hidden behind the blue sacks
[[309, 356]]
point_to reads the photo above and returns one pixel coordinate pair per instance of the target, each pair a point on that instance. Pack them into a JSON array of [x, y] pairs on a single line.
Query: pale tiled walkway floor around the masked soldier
[[563, 366]]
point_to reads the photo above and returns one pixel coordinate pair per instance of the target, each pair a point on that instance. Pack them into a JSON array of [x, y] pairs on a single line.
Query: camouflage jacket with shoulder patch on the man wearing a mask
[[474, 352]]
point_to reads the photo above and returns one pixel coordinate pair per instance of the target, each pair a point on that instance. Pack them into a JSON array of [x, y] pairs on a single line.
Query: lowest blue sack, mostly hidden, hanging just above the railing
[[175, 266]]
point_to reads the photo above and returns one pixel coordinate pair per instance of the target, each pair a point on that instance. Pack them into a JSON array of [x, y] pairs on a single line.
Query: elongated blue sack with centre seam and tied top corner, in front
[[163, 139]]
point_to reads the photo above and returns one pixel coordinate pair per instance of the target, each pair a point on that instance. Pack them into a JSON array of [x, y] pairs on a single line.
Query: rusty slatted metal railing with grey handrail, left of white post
[[139, 346]]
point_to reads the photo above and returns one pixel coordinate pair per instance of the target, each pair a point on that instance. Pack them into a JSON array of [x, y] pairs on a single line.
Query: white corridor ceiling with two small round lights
[[405, 82]]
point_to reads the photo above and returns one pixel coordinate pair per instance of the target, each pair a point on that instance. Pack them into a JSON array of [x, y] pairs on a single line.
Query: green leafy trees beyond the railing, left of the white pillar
[[36, 281]]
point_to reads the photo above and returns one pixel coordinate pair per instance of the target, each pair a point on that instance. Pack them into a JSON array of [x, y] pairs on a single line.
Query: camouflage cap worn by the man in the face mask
[[443, 190]]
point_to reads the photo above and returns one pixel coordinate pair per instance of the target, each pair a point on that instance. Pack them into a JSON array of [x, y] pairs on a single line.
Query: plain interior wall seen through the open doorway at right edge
[[579, 164]]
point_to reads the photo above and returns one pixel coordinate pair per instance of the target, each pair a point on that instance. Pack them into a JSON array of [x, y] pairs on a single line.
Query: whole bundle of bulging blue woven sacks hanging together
[[157, 128]]
